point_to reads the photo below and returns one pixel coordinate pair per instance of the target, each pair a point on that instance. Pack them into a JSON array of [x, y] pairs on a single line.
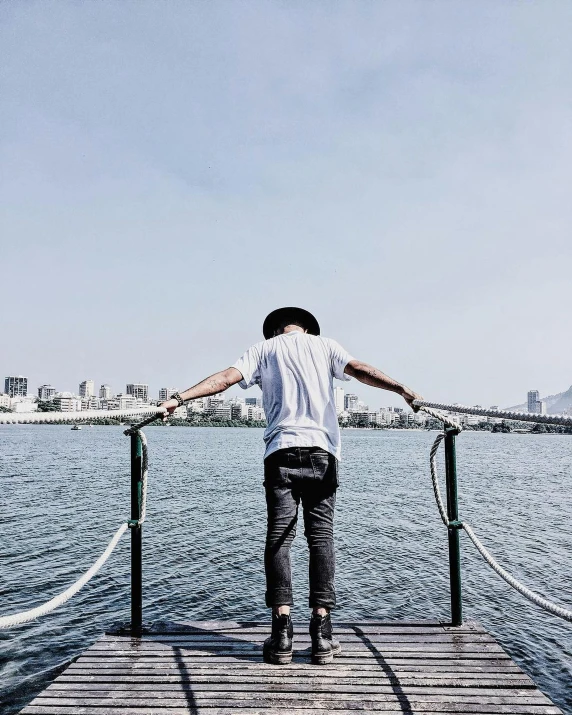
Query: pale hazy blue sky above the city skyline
[[173, 171]]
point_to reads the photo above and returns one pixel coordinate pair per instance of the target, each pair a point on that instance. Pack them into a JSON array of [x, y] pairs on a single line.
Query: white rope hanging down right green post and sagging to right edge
[[549, 606]]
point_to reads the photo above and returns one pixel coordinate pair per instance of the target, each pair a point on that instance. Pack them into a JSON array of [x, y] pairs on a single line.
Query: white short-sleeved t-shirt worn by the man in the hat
[[295, 372]]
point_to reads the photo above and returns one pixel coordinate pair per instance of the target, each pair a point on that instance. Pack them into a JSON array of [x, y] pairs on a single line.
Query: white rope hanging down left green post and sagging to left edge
[[30, 615]]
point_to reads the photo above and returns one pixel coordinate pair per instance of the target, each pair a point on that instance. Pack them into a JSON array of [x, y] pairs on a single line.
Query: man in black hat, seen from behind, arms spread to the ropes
[[295, 368]]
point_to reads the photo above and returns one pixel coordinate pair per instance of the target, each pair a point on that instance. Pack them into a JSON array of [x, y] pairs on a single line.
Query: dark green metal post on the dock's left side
[[136, 538]]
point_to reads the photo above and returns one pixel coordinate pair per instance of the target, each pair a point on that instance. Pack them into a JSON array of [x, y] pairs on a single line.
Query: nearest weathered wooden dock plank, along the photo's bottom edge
[[317, 704]]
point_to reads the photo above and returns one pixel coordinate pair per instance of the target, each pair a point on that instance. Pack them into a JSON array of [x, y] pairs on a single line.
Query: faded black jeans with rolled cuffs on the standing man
[[309, 475]]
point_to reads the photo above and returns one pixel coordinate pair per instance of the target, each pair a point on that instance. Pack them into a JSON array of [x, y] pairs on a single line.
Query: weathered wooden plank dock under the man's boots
[[216, 668]]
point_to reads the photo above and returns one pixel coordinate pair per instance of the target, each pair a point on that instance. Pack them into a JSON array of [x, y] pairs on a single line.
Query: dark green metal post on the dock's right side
[[453, 532]]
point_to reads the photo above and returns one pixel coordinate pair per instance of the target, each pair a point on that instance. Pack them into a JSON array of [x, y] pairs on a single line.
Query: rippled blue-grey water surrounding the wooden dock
[[64, 493]]
